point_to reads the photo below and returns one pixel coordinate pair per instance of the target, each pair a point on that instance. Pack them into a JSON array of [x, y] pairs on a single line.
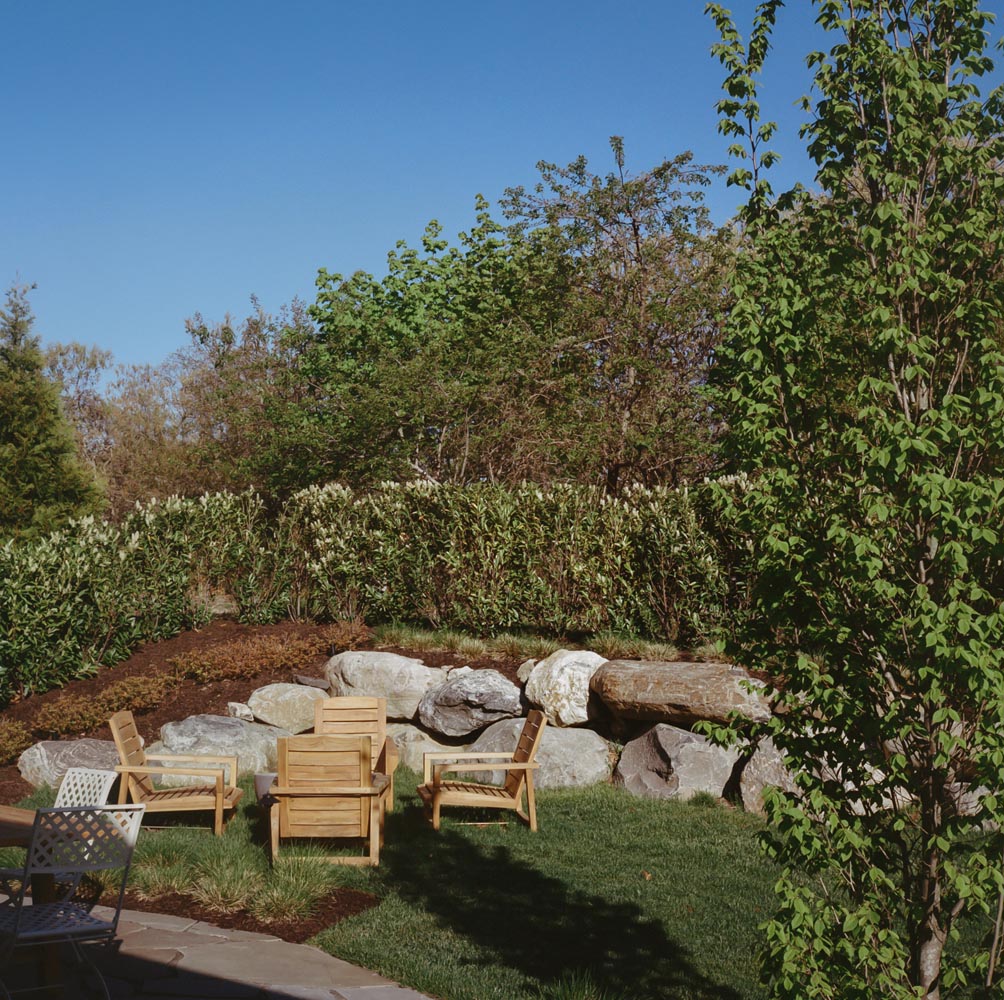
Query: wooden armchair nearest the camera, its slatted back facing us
[[327, 789]]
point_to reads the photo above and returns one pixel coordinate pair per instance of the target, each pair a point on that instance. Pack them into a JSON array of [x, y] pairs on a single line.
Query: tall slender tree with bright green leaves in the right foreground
[[863, 378]]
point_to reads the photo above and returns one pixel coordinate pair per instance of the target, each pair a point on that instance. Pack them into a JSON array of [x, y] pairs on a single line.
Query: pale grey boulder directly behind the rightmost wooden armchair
[[568, 758]]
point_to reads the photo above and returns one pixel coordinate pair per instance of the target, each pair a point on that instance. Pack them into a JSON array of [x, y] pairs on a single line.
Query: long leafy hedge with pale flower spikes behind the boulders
[[565, 560]]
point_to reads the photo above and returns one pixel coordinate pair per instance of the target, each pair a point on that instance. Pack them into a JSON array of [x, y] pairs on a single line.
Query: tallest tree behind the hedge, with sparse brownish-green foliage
[[644, 312]]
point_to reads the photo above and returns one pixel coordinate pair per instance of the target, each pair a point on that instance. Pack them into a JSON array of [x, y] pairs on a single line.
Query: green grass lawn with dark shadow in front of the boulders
[[615, 898]]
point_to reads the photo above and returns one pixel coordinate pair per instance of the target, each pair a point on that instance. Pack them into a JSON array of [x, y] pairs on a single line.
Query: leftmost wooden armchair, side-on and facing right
[[137, 771]]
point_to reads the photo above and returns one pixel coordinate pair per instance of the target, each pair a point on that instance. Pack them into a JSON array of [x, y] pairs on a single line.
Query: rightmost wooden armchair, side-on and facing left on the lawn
[[436, 793]]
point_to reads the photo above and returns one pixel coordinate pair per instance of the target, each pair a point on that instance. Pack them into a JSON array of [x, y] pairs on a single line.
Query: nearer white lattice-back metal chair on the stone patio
[[68, 846]]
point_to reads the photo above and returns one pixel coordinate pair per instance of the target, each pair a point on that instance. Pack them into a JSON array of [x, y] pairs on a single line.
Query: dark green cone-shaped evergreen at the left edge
[[43, 484]]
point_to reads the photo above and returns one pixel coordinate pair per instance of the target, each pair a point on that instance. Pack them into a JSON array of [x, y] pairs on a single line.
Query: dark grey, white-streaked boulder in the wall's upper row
[[470, 700]]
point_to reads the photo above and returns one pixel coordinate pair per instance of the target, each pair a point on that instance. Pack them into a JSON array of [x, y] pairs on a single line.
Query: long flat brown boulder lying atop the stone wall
[[678, 693]]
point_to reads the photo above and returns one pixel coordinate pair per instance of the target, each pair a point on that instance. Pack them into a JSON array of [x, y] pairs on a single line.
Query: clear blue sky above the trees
[[163, 159]]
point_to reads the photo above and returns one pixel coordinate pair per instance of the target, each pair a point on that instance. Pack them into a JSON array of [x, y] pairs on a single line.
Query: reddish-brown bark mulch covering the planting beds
[[192, 698]]
